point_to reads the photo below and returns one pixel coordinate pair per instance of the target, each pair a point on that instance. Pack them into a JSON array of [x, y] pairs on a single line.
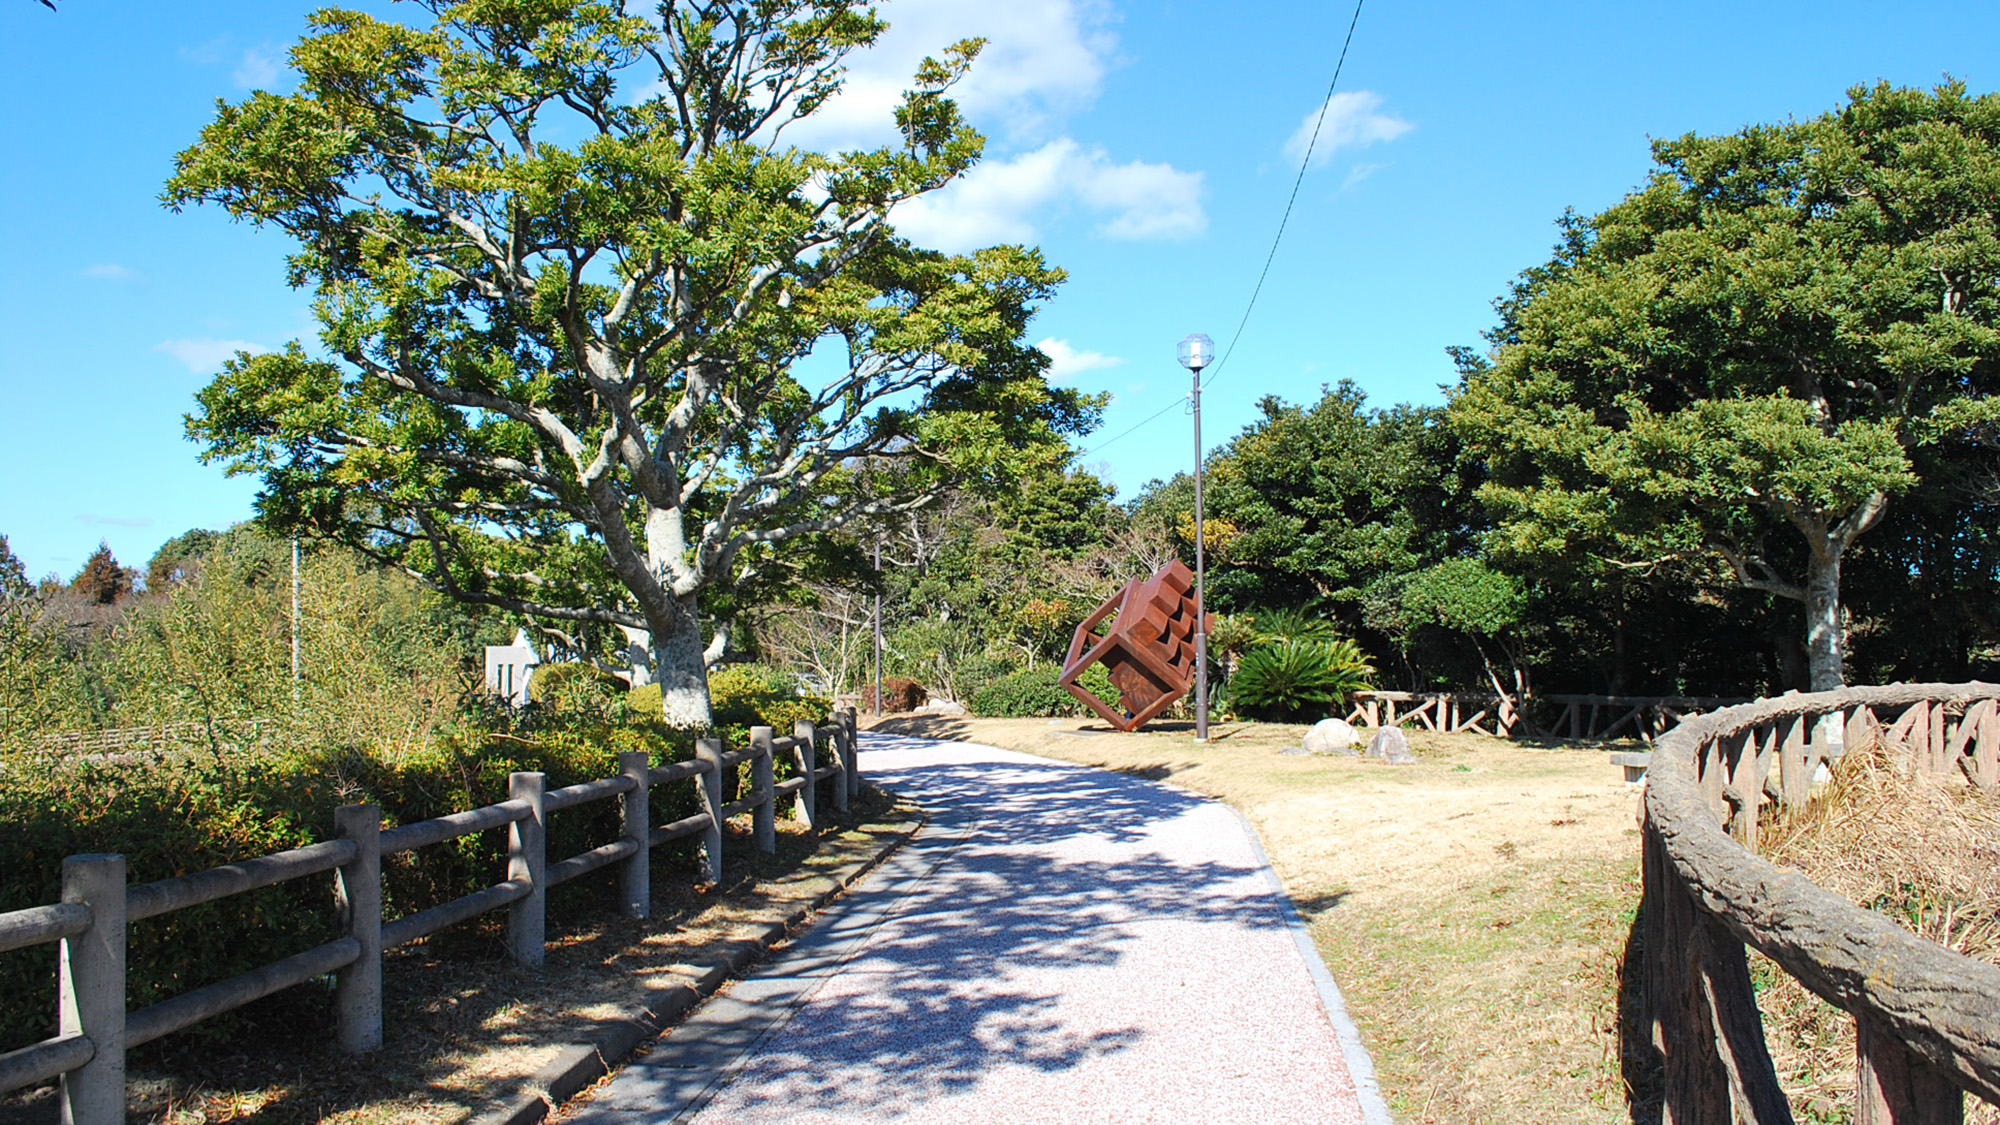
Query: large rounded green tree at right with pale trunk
[[1741, 357]]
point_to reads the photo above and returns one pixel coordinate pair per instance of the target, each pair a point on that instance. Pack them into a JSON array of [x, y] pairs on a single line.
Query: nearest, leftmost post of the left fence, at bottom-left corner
[[93, 990]]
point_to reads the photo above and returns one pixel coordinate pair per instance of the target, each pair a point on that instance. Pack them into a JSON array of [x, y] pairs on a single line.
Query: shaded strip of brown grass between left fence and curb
[[465, 1026]]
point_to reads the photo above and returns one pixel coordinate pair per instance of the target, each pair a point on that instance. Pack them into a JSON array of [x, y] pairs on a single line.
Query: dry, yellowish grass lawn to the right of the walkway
[[1475, 908]]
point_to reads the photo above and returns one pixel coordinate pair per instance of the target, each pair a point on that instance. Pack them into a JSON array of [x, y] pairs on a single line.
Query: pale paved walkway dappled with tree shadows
[[1061, 944]]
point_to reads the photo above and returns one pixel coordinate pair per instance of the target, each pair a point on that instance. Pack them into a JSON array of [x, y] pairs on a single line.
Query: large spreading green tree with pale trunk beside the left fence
[[599, 345]]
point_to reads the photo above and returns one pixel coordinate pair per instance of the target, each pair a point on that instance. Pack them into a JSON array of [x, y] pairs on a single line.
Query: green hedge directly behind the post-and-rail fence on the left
[[193, 810]]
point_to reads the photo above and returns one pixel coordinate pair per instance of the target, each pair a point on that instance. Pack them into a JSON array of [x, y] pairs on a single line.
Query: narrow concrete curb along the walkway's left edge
[[613, 1040]]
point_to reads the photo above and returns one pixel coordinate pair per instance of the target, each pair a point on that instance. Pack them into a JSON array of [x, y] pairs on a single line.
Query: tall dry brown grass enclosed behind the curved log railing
[[1925, 852]]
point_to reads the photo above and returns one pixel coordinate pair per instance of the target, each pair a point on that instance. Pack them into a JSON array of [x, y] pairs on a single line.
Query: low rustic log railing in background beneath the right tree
[[1587, 718]]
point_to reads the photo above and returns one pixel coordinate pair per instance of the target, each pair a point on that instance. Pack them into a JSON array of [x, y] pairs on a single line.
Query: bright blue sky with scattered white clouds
[[1147, 147]]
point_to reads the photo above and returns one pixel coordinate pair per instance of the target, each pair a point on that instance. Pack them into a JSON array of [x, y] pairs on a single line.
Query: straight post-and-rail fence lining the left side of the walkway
[[95, 1030]]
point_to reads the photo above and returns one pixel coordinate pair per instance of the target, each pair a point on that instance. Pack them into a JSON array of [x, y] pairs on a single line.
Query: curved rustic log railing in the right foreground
[[1927, 1020]]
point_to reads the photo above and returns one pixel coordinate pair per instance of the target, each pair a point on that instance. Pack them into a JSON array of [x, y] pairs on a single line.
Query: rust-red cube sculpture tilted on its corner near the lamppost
[[1147, 650]]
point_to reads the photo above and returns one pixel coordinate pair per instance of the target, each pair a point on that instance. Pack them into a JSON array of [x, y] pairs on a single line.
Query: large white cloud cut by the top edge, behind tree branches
[[1043, 61]]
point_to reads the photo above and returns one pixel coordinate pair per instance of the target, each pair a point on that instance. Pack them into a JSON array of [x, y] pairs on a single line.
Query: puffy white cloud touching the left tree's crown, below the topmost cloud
[[1005, 201]]
